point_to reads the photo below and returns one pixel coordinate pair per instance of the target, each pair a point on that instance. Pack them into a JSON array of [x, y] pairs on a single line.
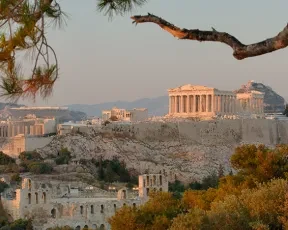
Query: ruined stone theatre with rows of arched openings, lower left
[[54, 203]]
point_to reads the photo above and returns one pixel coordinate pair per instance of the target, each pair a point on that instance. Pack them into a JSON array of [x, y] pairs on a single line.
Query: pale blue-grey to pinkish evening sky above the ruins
[[102, 60]]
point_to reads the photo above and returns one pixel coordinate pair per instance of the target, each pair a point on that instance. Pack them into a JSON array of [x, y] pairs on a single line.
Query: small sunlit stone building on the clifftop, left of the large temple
[[133, 115]]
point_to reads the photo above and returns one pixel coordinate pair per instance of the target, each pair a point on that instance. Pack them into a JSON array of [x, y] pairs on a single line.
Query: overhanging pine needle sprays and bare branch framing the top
[[27, 23]]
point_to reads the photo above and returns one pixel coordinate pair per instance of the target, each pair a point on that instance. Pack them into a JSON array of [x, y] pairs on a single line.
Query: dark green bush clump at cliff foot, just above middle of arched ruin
[[113, 170]]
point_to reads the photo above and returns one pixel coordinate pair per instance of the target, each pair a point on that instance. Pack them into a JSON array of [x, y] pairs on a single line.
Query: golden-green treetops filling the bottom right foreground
[[255, 198]]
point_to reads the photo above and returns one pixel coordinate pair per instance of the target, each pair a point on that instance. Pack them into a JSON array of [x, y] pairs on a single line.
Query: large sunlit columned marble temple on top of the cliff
[[202, 101]]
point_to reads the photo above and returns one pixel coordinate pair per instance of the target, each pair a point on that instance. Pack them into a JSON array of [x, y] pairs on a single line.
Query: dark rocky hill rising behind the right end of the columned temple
[[273, 102]]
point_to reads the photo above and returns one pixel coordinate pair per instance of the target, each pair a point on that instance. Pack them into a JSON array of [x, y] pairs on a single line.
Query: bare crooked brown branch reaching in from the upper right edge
[[241, 51]]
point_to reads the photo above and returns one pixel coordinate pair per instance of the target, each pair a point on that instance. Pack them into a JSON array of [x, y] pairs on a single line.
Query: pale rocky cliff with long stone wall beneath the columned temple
[[187, 150]]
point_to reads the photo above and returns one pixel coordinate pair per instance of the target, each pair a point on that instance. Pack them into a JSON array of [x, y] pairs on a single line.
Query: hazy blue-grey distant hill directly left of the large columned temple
[[156, 106]]
